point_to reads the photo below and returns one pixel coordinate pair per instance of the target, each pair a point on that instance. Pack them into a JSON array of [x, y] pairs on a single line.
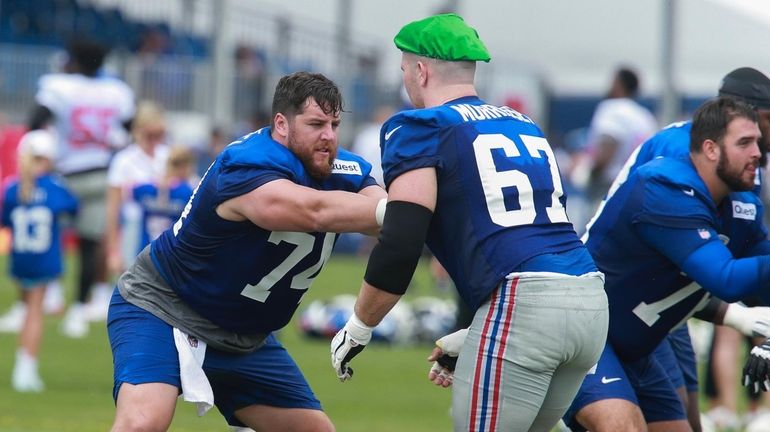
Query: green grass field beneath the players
[[390, 391]]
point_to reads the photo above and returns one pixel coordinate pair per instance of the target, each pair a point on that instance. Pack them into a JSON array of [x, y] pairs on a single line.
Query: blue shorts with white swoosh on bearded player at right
[[643, 382]]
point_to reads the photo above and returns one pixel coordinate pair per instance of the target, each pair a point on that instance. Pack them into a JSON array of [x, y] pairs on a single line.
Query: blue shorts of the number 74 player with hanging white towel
[[143, 351]]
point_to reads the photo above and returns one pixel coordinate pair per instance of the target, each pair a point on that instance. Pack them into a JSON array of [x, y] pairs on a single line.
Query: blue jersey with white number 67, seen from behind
[[500, 200]]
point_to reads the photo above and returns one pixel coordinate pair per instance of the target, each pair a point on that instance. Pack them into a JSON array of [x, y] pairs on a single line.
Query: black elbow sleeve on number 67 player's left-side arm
[[394, 258]]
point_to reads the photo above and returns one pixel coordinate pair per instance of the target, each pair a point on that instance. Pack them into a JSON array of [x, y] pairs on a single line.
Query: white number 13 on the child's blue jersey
[[32, 228]]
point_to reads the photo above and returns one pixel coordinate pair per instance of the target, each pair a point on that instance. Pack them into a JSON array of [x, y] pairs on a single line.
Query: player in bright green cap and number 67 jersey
[[479, 185]]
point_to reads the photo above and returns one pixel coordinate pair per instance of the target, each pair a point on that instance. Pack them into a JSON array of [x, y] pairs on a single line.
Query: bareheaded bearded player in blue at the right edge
[[678, 231]]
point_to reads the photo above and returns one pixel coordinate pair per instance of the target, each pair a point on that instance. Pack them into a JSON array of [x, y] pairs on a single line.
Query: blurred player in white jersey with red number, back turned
[[90, 113]]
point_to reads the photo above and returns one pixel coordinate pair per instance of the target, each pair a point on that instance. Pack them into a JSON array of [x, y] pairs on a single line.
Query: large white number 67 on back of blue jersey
[[494, 181]]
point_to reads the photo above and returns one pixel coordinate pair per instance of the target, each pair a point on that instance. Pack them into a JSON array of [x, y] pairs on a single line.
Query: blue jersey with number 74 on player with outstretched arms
[[239, 276]]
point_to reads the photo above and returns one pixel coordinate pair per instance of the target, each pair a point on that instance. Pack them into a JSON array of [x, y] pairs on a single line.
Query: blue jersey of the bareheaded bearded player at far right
[[647, 290]]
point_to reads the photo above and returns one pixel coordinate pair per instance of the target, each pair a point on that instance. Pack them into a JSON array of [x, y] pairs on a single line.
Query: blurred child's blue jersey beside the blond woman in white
[[159, 214]]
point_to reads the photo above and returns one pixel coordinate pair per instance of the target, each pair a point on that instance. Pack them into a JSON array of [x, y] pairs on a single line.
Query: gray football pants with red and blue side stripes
[[527, 351]]
